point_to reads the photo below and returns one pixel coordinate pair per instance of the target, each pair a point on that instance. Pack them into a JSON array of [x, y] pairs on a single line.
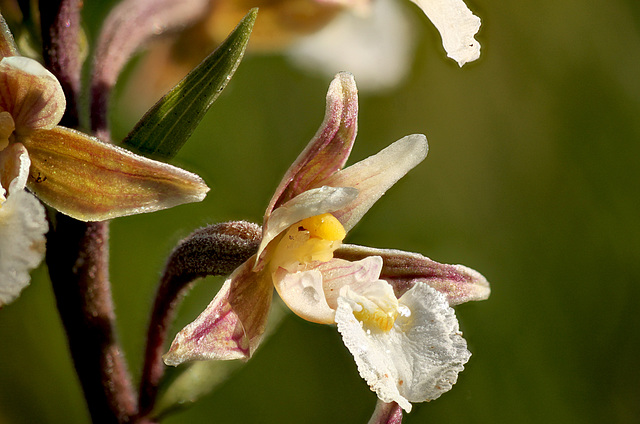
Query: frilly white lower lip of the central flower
[[418, 359]]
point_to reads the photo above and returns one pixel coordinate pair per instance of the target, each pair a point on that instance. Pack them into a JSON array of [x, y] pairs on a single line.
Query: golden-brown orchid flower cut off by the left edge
[[72, 172]]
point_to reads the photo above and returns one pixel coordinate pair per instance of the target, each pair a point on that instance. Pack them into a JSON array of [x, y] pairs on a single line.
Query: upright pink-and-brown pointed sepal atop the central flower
[[329, 150]]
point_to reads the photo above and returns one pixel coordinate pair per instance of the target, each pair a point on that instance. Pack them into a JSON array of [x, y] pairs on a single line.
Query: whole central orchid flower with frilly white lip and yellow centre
[[392, 308]]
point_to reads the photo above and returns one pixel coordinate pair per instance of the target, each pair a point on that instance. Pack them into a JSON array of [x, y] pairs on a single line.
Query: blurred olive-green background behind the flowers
[[532, 179]]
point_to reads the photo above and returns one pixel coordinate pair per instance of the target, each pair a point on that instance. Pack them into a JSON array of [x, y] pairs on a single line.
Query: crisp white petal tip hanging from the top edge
[[457, 26]]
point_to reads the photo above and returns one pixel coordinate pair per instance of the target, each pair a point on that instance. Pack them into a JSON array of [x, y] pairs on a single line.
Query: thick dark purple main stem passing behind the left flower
[[78, 252]]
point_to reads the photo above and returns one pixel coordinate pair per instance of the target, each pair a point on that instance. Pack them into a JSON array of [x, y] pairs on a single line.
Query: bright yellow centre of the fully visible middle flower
[[309, 240]]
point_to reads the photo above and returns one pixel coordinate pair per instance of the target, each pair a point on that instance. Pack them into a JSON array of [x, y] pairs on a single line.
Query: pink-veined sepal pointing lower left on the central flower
[[232, 325]]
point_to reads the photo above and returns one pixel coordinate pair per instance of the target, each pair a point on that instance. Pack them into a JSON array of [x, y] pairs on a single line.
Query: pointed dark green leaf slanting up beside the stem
[[169, 123]]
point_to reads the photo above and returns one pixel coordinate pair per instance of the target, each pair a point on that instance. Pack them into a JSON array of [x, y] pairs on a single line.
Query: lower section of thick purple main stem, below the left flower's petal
[[77, 257]]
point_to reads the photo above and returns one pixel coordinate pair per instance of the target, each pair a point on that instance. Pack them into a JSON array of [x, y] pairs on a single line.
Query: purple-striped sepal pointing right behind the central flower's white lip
[[404, 269]]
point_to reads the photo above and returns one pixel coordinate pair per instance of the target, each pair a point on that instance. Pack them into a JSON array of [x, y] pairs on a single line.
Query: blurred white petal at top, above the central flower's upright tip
[[376, 47]]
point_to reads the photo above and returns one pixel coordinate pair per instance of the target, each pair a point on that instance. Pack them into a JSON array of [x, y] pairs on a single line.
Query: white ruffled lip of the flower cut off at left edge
[[22, 228]]
